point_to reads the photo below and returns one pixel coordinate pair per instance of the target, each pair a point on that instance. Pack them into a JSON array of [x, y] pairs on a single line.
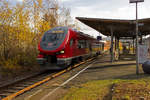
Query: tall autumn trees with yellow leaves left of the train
[[22, 25]]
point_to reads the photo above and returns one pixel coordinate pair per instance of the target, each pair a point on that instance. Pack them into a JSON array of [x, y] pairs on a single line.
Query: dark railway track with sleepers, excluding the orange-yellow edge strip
[[21, 84]]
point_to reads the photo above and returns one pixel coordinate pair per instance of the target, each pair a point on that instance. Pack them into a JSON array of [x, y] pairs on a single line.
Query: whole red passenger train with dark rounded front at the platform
[[63, 46]]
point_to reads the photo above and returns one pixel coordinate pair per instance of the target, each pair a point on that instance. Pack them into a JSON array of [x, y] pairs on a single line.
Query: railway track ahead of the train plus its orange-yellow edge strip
[[12, 90]]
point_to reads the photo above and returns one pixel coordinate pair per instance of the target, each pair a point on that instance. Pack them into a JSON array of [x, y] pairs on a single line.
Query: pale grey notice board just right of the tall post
[[143, 53]]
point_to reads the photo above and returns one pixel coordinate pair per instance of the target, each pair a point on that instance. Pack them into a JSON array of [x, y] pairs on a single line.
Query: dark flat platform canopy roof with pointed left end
[[121, 28]]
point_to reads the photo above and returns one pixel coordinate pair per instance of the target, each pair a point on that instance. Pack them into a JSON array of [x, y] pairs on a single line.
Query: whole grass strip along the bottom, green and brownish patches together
[[110, 90]]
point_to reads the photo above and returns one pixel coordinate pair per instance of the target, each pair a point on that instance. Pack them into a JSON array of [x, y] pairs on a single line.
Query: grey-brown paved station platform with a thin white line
[[100, 69]]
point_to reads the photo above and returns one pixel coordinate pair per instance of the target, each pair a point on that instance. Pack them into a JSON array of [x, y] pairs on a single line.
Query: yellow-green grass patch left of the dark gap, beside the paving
[[88, 91]]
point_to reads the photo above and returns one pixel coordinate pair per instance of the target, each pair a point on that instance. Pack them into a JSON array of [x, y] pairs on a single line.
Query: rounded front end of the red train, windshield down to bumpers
[[52, 46]]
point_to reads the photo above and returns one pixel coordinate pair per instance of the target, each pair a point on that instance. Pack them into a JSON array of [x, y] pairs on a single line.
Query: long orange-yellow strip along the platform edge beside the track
[[10, 97]]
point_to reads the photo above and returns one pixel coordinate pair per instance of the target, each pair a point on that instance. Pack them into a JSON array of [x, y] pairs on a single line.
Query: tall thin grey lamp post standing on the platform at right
[[137, 42]]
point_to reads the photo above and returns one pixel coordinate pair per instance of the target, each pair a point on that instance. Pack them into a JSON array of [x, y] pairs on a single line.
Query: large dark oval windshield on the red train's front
[[53, 38]]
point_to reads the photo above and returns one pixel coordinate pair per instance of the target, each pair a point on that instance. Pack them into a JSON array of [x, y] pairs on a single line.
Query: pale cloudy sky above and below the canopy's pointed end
[[114, 9]]
